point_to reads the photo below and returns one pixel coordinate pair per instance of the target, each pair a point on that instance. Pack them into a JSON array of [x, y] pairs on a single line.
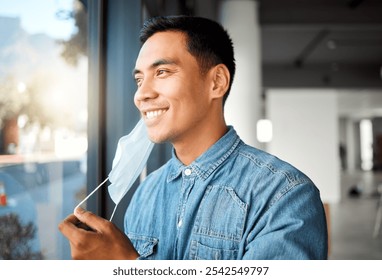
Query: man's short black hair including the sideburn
[[206, 40]]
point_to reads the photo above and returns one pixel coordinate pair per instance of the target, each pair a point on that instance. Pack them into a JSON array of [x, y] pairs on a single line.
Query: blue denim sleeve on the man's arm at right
[[293, 227]]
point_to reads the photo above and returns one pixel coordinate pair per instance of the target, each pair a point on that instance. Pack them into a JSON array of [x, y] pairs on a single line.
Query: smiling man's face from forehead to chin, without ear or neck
[[172, 95]]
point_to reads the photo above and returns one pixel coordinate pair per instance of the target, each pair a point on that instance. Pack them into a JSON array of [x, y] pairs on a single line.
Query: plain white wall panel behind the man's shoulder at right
[[305, 124]]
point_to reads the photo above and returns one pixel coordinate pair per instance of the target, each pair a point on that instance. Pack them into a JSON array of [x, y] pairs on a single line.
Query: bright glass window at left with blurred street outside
[[43, 124]]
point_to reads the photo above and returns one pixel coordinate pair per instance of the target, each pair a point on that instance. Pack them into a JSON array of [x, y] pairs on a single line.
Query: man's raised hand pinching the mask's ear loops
[[92, 237]]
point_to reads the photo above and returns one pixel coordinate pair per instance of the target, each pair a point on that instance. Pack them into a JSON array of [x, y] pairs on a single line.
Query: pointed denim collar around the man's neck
[[206, 163]]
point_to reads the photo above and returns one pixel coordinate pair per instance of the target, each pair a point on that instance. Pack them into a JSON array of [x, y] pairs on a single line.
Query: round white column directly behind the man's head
[[243, 107]]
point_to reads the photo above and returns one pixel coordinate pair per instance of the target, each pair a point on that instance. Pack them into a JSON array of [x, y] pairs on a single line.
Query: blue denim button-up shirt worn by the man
[[232, 202]]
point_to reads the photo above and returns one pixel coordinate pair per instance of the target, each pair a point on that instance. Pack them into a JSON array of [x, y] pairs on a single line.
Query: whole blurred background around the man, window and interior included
[[308, 89]]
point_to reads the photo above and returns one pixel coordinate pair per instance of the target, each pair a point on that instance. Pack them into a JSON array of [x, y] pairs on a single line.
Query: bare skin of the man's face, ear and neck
[[177, 99]]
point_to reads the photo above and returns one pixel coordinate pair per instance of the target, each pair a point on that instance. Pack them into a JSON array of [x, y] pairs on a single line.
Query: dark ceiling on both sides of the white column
[[333, 44]]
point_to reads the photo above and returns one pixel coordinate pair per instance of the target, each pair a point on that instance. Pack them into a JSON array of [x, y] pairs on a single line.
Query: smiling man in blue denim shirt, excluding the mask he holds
[[216, 198]]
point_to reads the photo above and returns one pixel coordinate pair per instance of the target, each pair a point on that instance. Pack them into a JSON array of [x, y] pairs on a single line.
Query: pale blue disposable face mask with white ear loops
[[130, 159]]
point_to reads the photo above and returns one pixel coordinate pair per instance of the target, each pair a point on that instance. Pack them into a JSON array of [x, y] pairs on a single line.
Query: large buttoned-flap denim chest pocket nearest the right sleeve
[[219, 225]]
